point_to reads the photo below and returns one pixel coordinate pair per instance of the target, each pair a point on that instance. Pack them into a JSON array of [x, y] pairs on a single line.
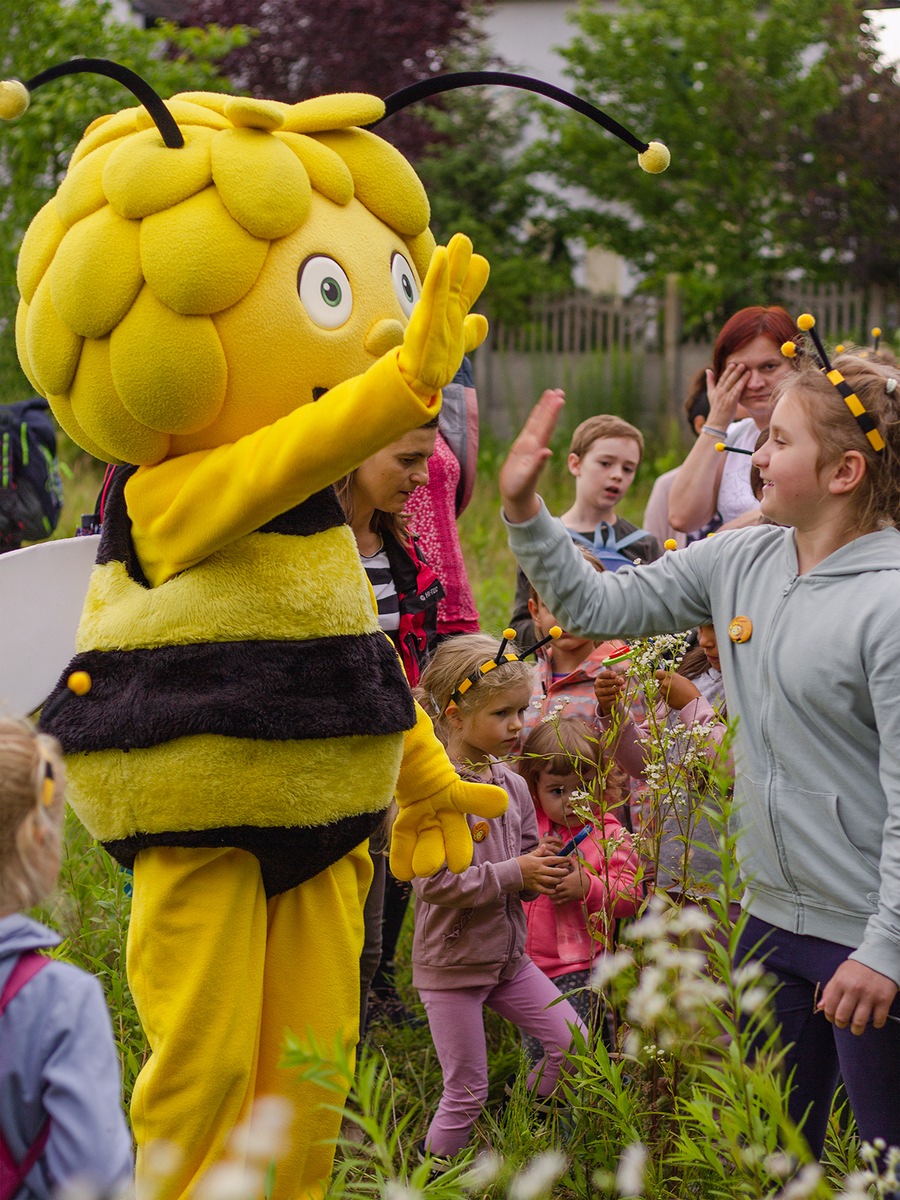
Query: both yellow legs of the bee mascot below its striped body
[[219, 976]]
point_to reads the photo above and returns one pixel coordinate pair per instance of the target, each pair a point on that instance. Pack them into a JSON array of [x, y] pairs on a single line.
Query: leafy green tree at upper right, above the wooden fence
[[741, 94]]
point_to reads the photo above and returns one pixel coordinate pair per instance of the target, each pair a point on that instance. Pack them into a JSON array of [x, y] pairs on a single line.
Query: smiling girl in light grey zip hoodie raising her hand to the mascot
[[808, 620]]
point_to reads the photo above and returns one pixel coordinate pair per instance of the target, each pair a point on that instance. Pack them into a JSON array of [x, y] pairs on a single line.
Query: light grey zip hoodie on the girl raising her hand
[[817, 693]]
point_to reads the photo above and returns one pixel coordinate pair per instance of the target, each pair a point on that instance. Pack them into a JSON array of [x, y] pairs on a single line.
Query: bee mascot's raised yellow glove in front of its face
[[441, 329]]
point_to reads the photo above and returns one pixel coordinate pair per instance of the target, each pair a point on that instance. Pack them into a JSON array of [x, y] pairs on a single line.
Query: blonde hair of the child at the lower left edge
[[32, 796]]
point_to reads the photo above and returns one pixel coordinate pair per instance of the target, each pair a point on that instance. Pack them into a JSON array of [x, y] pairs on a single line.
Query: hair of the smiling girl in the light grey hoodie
[[877, 501]]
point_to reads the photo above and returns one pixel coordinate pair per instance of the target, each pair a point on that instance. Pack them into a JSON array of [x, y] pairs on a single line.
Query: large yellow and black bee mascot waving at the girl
[[241, 301]]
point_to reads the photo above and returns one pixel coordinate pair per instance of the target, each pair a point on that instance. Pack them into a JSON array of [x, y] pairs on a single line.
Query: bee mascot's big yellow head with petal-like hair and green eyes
[[178, 299]]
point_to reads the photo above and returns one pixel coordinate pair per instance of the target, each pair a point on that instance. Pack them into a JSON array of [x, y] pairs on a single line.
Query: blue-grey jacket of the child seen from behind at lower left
[[59, 1060]]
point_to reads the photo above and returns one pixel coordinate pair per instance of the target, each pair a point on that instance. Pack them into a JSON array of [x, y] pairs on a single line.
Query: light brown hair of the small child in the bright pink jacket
[[567, 746]]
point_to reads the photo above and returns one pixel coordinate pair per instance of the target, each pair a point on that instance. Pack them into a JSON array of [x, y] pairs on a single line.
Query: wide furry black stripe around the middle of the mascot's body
[[326, 688]]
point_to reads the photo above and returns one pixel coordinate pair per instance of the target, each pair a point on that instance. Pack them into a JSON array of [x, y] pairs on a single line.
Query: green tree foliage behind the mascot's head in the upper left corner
[[35, 149]]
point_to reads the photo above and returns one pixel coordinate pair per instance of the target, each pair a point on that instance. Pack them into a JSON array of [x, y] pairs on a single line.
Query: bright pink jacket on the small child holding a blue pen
[[560, 937]]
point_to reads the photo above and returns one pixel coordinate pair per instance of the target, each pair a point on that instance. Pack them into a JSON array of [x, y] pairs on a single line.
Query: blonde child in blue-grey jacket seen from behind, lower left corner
[[62, 1119]]
